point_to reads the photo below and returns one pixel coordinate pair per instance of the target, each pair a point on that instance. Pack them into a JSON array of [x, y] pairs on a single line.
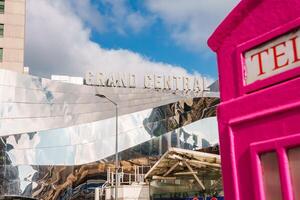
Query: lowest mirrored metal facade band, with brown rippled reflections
[[56, 182]]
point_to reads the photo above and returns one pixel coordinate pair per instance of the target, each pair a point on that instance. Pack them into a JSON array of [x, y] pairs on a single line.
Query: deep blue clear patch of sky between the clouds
[[155, 42]]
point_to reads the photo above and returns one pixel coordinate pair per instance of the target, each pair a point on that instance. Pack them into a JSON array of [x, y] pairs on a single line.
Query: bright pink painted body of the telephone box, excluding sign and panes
[[260, 117]]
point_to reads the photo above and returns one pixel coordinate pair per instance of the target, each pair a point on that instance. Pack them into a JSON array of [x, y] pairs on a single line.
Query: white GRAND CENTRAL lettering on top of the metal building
[[127, 80]]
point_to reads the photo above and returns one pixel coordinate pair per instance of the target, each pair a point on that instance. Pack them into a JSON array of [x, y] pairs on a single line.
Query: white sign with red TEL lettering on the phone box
[[274, 57]]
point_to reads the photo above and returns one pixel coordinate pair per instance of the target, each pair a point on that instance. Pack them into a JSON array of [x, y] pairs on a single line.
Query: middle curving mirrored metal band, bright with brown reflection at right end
[[90, 142]]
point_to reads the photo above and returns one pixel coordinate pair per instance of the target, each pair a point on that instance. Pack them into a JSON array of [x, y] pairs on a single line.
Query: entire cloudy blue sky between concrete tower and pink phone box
[[150, 36]]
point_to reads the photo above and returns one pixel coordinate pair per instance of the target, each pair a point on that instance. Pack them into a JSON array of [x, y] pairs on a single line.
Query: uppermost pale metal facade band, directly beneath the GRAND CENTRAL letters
[[29, 104]]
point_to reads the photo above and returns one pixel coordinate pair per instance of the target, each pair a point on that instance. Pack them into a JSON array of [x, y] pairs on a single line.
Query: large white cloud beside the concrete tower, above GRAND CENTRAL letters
[[58, 42]]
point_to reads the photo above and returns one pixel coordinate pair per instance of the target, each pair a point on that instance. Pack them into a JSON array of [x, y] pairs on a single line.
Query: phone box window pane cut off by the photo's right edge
[[294, 162]]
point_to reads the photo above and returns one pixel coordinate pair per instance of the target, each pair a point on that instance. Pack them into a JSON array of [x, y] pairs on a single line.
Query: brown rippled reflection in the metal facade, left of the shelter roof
[[74, 182]]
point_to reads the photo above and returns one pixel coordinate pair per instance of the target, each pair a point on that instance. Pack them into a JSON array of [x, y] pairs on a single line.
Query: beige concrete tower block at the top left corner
[[12, 32]]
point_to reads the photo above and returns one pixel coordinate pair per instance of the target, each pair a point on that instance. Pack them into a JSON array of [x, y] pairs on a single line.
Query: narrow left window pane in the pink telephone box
[[271, 177]]
